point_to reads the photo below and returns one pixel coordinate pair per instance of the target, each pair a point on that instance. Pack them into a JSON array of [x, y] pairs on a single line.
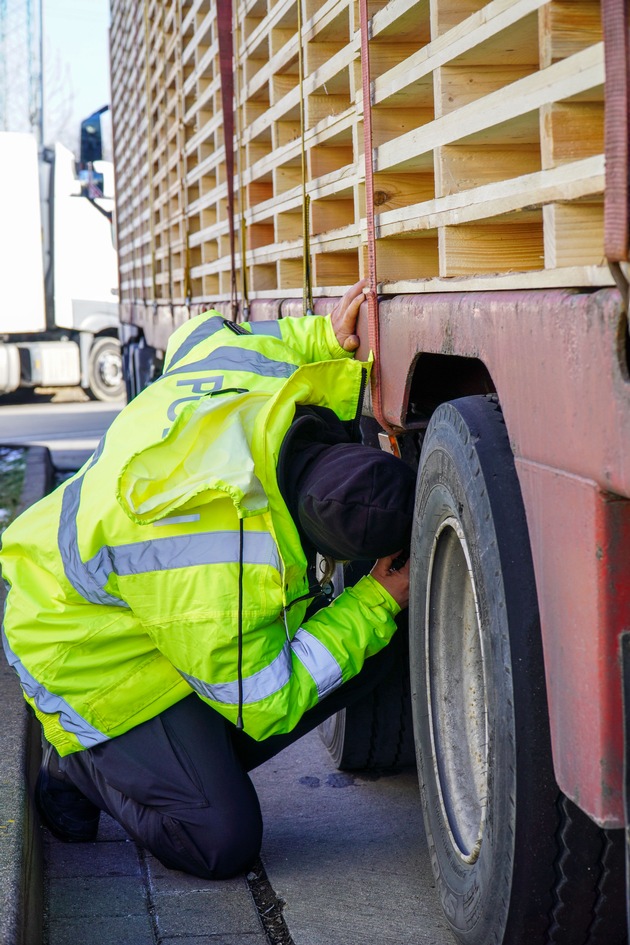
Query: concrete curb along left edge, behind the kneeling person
[[21, 886]]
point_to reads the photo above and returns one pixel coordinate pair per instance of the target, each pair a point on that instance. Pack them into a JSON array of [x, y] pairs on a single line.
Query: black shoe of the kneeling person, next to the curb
[[67, 813]]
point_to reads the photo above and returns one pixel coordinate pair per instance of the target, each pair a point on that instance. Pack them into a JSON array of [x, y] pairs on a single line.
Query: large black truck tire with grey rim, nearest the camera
[[515, 862]]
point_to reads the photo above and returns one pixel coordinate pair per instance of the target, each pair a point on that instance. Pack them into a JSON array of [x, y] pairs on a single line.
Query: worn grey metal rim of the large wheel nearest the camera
[[456, 690]]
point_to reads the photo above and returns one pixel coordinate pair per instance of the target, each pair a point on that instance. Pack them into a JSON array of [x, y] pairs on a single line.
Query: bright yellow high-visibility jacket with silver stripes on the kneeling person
[[128, 583]]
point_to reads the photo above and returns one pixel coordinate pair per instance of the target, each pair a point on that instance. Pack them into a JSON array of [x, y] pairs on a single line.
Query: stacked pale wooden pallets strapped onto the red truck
[[487, 146]]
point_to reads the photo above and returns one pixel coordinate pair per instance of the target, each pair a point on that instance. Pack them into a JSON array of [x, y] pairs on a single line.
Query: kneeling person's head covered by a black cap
[[353, 502]]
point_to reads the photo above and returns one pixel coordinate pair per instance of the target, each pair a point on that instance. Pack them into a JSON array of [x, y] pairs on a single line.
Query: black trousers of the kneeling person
[[178, 783]]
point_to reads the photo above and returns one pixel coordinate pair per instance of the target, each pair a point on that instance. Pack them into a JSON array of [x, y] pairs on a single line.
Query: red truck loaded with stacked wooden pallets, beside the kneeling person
[[470, 159]]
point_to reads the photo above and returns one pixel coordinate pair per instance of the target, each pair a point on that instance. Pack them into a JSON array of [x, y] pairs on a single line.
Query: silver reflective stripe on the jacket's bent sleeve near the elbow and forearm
[[310, 651]]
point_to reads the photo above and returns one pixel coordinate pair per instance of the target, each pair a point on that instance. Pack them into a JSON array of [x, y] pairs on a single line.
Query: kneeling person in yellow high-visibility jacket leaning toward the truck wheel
[[157, 600]]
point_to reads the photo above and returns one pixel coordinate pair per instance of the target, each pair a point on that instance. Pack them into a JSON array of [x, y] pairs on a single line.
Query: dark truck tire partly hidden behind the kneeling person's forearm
[[376, 732]]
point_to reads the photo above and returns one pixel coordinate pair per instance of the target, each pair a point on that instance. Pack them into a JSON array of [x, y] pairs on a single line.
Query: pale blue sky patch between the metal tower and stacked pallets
[[76, 48]]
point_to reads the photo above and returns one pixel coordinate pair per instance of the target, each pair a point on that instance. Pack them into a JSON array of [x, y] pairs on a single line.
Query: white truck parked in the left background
[[58, 269]]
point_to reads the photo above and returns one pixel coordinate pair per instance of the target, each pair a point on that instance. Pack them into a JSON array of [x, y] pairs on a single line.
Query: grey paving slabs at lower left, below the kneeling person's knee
[[112, 891]]
